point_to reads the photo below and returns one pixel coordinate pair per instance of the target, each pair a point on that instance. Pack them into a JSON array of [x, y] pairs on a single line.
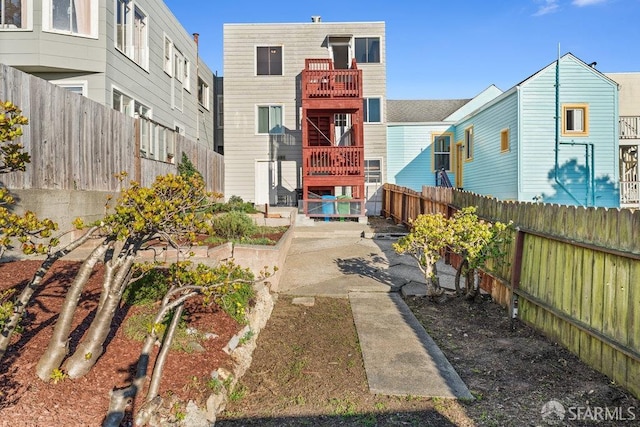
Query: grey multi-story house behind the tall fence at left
[[133, 55]]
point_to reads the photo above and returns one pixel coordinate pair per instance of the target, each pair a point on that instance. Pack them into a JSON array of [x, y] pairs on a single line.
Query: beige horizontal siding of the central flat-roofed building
[[244, 91]]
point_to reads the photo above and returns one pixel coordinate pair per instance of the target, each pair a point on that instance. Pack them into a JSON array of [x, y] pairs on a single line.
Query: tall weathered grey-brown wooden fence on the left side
[[78, 144]]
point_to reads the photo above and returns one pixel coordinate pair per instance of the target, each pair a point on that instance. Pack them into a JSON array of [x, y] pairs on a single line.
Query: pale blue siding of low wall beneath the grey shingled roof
[[409, 155]]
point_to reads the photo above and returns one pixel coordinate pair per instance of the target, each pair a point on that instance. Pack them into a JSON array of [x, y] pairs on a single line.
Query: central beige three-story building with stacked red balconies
[[304, 113]]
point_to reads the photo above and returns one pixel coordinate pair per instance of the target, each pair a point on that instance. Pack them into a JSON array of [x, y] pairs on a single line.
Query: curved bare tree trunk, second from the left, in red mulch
[[57, 347]]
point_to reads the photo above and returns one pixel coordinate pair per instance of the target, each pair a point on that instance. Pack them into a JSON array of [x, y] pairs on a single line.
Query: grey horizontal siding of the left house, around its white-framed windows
[[54, 56]]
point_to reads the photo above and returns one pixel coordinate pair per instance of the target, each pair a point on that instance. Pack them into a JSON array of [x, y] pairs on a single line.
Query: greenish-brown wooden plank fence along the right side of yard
[[574, 272]]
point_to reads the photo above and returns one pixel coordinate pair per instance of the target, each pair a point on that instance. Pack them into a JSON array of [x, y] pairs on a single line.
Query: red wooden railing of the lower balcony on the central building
[[334, 161]]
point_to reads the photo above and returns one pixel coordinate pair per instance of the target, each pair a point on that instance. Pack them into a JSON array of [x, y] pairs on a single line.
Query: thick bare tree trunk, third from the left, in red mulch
[[92, 345]]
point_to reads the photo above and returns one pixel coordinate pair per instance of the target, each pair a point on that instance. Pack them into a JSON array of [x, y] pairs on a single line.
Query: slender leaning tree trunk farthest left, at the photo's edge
[[27, 293]]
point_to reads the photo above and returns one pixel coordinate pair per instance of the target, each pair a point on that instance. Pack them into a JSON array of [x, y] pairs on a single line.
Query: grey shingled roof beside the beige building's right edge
[[422, 111]]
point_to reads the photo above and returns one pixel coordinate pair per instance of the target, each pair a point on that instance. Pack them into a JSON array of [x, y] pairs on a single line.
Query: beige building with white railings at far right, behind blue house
[[629, 108]]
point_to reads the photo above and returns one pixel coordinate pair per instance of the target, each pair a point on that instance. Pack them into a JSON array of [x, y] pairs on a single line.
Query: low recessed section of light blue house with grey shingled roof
[[420, 137]]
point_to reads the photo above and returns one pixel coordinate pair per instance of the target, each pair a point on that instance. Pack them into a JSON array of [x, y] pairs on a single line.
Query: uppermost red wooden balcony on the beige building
[[321, 80]]
